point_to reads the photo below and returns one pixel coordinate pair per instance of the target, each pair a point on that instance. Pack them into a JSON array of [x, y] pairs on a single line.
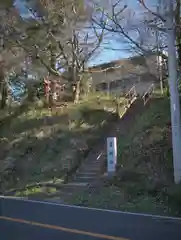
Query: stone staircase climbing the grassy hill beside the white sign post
[[90, 170]]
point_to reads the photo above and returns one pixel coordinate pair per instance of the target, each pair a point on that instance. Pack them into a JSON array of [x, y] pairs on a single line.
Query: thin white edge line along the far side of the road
[[94, 209]]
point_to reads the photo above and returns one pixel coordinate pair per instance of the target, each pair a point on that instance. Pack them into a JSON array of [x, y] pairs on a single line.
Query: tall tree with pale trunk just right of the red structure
[[54, 38]]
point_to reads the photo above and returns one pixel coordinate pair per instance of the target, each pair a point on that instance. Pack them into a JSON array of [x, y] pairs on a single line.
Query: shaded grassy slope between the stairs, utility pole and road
[[144, 180]]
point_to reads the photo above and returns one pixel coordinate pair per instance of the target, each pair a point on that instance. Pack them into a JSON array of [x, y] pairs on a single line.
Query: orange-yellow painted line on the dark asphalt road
[[59, 228]]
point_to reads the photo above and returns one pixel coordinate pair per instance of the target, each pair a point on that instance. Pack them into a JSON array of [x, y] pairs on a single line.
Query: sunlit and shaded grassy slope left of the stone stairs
[[45, 144]]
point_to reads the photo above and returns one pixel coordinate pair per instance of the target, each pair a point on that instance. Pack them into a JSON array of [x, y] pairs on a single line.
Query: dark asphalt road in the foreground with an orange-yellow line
[[31, 220]]
